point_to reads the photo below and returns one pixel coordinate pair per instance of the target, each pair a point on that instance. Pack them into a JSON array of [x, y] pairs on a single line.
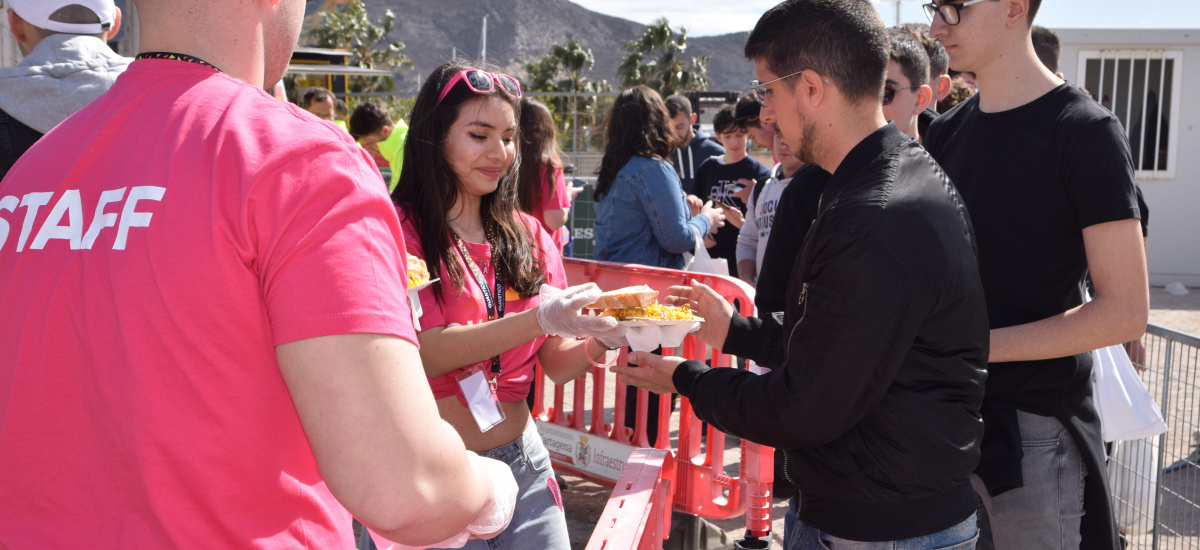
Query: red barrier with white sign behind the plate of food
[[598, 451]]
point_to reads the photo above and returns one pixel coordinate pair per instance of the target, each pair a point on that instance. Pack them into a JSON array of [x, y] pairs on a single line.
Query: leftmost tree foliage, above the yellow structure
[[350, 27]]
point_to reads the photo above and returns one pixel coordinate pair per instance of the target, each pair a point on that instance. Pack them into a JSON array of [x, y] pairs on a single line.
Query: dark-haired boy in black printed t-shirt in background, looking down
[[721, 177]]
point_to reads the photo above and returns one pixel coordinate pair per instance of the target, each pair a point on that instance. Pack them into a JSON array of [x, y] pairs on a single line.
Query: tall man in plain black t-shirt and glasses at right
[[1047, 177]]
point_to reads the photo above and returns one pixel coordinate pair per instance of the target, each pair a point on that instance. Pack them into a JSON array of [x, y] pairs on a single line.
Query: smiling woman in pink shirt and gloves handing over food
[[501, 296]]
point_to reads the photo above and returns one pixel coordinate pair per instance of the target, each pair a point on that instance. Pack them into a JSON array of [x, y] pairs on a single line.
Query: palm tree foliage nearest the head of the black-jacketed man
[[656, 59]]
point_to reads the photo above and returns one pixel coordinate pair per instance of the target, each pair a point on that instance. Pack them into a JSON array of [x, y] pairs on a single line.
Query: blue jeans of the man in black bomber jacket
[[800, 536]]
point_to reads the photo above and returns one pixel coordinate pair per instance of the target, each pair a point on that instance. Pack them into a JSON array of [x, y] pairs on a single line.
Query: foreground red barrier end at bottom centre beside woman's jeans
[[639, 512]]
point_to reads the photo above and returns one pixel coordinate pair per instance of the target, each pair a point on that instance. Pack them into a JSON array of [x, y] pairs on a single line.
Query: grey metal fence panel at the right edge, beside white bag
[[1156, 482]]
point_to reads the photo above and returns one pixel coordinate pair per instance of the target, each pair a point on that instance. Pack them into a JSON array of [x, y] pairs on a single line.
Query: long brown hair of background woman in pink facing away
[[539, 154]]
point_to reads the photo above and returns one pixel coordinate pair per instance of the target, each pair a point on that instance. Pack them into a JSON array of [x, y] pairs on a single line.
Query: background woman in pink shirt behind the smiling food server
[[542, 188]]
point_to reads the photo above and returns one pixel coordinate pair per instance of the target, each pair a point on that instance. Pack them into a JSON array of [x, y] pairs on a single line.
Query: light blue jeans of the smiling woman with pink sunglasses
[[538, 522]]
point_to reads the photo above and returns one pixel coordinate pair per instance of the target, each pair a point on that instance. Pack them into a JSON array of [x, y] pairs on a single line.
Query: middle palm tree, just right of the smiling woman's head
[[565, 70]]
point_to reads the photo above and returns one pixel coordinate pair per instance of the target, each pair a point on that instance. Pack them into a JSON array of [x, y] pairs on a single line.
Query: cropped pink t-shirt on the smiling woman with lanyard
[[467, 308]]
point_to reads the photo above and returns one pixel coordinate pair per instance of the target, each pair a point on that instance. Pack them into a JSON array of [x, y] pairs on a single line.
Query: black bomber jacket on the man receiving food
[[880, 360]]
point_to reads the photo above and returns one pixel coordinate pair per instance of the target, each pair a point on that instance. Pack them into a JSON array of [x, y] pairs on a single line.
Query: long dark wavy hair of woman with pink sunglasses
[[428, 189]]
